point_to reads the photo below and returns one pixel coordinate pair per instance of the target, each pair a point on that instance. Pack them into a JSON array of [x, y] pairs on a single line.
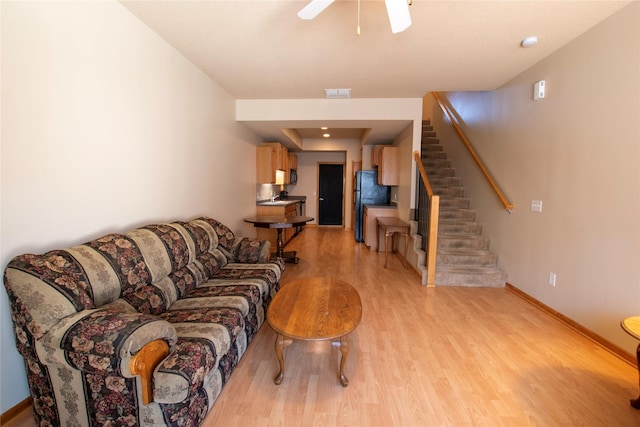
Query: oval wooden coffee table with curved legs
[[315, 309]]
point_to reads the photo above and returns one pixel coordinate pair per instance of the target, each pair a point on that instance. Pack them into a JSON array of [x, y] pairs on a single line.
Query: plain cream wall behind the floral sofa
[[106, 127]]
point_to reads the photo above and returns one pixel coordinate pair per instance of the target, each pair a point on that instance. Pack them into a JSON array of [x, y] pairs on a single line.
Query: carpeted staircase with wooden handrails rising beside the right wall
[[463, 256]]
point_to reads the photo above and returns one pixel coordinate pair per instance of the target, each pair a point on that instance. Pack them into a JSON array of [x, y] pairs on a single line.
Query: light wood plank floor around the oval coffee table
[[426, 357]]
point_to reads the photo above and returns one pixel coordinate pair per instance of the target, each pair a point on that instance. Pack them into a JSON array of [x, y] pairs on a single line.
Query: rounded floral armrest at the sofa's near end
[[102, 341]]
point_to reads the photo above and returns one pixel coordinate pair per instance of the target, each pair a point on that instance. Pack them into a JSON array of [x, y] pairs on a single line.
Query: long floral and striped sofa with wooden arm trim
[[142, 328]]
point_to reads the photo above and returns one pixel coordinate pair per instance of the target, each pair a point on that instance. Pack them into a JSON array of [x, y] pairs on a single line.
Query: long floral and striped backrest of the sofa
[[149, 267]]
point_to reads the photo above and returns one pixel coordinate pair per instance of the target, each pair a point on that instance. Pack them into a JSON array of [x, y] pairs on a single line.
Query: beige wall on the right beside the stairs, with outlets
[[578, 151]]
